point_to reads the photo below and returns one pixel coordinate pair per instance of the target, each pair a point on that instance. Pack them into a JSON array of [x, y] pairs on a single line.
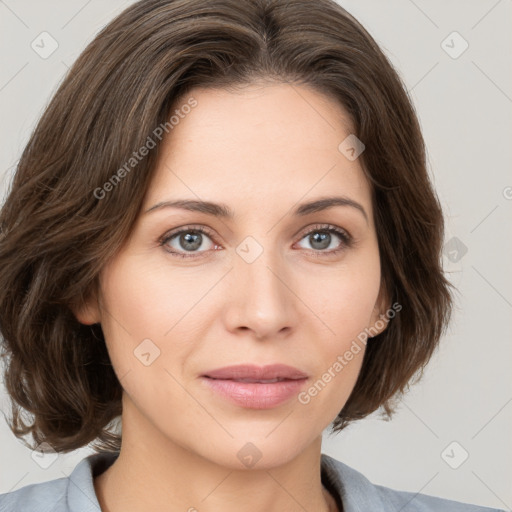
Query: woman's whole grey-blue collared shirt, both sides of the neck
[[357, 494]]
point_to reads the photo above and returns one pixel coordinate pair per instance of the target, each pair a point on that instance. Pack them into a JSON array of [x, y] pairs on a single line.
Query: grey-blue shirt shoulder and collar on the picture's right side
[[357, 493]]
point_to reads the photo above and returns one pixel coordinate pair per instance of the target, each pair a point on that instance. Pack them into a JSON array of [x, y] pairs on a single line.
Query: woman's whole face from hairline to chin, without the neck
[[266, 286]]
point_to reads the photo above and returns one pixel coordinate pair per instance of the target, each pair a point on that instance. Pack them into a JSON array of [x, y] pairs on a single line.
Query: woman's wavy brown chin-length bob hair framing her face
[[58, 231]]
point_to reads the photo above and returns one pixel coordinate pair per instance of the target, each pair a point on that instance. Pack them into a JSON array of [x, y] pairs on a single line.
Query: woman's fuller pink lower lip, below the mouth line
[[253, 395]]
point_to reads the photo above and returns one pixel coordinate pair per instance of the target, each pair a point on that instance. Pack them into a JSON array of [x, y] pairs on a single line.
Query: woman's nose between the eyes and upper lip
[[260, 297]]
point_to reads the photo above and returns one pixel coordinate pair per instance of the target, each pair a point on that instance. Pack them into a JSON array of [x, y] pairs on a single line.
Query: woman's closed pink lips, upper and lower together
[[256, 395]]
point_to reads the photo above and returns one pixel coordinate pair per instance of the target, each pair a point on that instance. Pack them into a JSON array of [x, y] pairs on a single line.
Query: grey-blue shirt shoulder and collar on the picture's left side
[[67, 494]]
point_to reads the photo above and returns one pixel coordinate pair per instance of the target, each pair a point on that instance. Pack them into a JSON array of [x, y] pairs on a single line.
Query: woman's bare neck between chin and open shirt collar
[[154, 473]]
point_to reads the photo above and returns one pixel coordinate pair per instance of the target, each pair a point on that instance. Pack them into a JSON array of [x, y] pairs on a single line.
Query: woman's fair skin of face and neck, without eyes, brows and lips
[[261, 150]]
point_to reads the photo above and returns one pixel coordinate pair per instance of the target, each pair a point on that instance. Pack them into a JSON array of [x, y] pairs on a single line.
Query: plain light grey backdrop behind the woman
[[465, 107]]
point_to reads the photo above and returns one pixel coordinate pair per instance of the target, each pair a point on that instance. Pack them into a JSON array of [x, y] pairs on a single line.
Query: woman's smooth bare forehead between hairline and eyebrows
[[256, 146]]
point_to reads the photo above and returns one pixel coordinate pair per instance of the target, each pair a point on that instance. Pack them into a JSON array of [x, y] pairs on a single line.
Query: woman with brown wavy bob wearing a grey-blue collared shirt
[[223, 233]]
